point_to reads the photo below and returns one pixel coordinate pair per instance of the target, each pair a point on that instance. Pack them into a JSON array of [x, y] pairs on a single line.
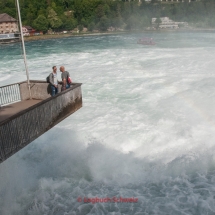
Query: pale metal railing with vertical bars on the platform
[[9, 94]]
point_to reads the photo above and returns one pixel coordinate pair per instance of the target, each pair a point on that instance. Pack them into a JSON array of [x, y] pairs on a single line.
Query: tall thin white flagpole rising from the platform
[[23, 48]]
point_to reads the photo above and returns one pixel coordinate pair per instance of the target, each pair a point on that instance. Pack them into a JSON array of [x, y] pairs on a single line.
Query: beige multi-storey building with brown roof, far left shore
[[8, 24]]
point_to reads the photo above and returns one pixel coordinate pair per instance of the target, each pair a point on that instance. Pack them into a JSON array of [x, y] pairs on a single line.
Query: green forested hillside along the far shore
[[101, 14]]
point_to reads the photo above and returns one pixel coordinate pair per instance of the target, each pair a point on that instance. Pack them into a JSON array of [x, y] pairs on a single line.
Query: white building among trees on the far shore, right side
[[167, 23]]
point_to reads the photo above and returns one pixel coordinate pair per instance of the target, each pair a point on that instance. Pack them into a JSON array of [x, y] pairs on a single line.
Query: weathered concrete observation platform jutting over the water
[[22, 119]]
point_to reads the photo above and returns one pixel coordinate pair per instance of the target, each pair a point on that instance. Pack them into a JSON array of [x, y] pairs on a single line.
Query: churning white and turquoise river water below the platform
[[146, 130]]
